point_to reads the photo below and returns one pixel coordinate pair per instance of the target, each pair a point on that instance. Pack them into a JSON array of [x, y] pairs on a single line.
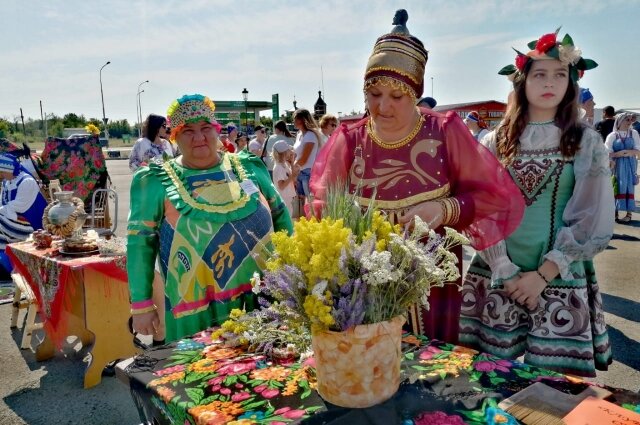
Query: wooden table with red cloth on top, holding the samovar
[[83, 296]]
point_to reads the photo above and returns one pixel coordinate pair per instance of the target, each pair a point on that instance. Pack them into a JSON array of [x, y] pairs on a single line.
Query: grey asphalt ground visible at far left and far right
[[51, 392]]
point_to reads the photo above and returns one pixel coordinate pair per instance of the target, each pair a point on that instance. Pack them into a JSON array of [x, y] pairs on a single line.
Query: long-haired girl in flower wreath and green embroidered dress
[[535, 293]]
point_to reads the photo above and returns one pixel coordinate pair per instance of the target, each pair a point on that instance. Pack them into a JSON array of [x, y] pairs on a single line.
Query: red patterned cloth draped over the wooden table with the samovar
[[48, 273]]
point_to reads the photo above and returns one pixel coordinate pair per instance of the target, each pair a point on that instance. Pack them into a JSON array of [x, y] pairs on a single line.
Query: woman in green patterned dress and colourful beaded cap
[[206, 213]]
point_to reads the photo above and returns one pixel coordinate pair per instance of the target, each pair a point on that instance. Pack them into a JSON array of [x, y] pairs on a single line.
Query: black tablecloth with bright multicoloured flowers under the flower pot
[[198, 381]]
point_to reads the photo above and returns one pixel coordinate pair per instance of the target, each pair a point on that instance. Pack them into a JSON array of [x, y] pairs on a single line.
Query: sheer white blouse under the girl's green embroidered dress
[[588, 216]]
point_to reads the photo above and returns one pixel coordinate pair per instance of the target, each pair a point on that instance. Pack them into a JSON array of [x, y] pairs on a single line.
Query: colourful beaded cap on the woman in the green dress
[[191, 108]]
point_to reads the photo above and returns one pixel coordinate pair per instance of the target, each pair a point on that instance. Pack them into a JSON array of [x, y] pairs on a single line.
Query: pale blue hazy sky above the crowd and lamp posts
[[53, 50]]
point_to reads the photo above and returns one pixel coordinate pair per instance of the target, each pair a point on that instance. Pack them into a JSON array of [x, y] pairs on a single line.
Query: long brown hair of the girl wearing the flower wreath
[[515, 120]]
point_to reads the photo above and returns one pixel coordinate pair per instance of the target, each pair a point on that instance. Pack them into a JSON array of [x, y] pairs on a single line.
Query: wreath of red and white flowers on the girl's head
[[548, 47]]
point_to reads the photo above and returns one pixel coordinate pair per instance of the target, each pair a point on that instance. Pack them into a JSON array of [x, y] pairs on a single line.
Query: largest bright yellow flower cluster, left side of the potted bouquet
[[314, 248]]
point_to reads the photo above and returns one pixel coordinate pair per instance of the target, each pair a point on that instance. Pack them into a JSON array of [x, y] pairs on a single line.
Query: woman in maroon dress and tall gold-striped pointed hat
[[418, 162]]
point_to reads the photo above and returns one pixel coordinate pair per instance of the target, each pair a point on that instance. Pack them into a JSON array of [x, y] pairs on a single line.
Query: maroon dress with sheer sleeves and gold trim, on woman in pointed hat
[[442, 160]]
